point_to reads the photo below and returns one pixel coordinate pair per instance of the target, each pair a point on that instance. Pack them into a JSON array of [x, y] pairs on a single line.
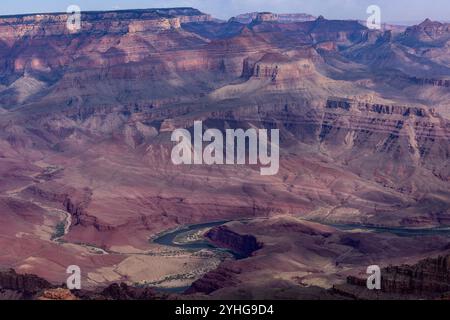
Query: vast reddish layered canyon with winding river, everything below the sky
[[86, 176]]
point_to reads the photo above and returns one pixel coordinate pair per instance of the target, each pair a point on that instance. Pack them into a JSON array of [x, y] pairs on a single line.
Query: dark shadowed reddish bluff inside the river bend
[[245, 245]]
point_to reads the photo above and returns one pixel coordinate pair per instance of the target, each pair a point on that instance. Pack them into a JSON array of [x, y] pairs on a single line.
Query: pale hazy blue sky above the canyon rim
[[392, 10]]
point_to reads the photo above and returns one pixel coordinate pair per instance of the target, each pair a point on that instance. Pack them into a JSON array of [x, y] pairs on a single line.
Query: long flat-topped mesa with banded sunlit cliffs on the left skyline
[[123, 21]]
